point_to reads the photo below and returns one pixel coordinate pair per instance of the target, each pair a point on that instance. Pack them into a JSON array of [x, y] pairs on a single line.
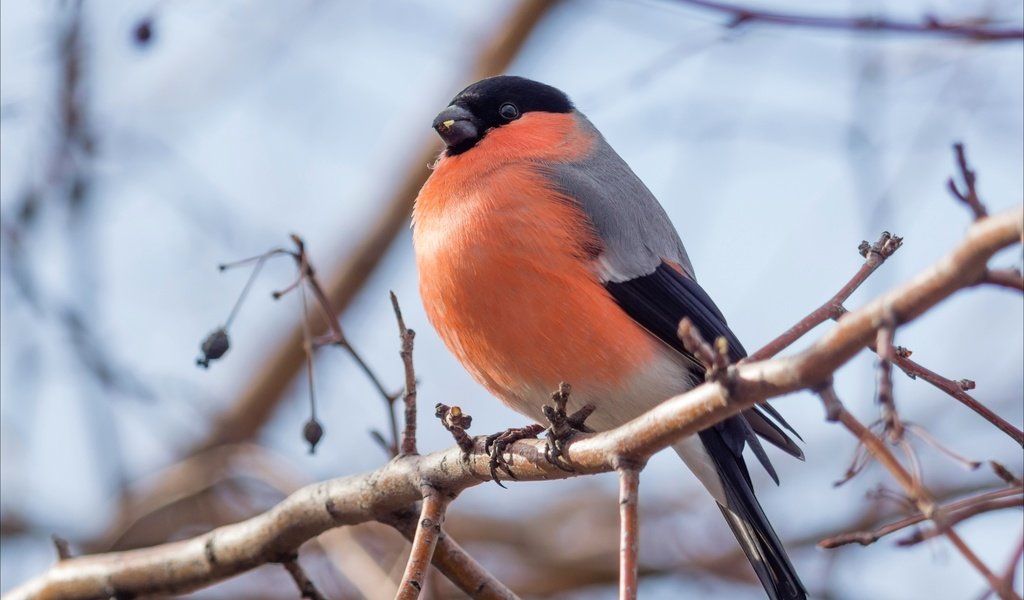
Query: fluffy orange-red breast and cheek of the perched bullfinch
[[506, 279]]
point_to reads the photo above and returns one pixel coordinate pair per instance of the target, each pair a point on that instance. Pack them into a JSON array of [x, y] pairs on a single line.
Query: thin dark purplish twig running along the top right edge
[[929, 25]]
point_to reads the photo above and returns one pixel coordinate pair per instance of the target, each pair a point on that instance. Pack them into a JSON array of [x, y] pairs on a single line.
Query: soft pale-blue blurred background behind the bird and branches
[[145, 143]]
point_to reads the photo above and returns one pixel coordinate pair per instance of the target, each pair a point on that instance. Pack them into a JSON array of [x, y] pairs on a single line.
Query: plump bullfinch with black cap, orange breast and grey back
[[543, 259]]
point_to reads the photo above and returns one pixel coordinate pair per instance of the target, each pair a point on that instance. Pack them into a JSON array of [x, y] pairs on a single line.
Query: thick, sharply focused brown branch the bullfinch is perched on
[[270, 537]]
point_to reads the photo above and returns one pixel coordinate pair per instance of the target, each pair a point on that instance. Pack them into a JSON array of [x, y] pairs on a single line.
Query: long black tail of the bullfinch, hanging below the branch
[[750, 525]]
